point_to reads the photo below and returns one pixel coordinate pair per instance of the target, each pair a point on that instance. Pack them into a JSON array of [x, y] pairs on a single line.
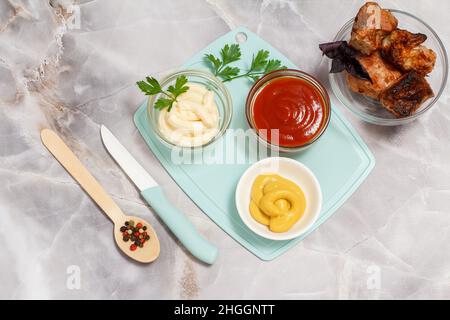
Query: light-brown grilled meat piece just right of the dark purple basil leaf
[[381, 72]]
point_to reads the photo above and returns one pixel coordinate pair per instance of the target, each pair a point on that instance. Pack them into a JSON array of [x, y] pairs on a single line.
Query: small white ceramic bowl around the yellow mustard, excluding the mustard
[[289, 169]]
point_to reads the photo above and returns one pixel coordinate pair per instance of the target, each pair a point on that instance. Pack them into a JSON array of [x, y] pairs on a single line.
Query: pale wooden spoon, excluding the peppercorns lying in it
[[72, 164]]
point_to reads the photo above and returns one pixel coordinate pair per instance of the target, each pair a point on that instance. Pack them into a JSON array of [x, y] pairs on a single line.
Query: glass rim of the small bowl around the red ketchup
[[259, 84]]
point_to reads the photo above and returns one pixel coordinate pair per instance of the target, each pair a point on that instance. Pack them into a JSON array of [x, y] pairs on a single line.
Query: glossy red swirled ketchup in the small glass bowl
[[294, 107]]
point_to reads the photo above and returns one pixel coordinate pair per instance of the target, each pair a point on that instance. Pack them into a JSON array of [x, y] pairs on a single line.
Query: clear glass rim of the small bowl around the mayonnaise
[[228, 105]]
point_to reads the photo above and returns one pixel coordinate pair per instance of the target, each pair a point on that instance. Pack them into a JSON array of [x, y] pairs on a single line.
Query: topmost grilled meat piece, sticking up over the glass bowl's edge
[[371, 25]]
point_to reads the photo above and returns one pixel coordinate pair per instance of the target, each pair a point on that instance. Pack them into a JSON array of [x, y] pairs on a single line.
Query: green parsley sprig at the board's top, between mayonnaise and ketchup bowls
[[260, 65]]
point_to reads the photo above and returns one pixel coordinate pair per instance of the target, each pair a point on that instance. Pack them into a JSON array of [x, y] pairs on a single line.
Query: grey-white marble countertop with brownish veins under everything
[[72, 67]]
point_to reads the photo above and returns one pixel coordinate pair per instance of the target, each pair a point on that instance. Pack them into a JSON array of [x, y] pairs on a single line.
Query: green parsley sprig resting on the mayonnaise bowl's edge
[[152, 87]]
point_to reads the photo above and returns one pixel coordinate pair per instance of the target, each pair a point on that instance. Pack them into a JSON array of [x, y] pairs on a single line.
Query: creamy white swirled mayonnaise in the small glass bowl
[[193, 120]]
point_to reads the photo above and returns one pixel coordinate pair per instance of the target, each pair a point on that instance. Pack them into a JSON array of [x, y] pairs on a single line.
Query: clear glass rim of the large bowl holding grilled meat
[[390, 121]]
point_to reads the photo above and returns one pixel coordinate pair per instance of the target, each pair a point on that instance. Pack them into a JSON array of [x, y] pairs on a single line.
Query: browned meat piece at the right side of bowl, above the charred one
[[404, 49]]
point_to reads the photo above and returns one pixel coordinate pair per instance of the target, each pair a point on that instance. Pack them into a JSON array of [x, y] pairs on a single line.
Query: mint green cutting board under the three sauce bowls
[[340, 159]]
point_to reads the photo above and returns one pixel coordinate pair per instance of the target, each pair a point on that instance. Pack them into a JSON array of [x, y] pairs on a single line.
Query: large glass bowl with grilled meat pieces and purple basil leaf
[[402, 70]]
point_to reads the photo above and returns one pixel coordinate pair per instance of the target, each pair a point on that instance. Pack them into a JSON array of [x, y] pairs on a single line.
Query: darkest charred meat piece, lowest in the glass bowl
[[406, 95]]
